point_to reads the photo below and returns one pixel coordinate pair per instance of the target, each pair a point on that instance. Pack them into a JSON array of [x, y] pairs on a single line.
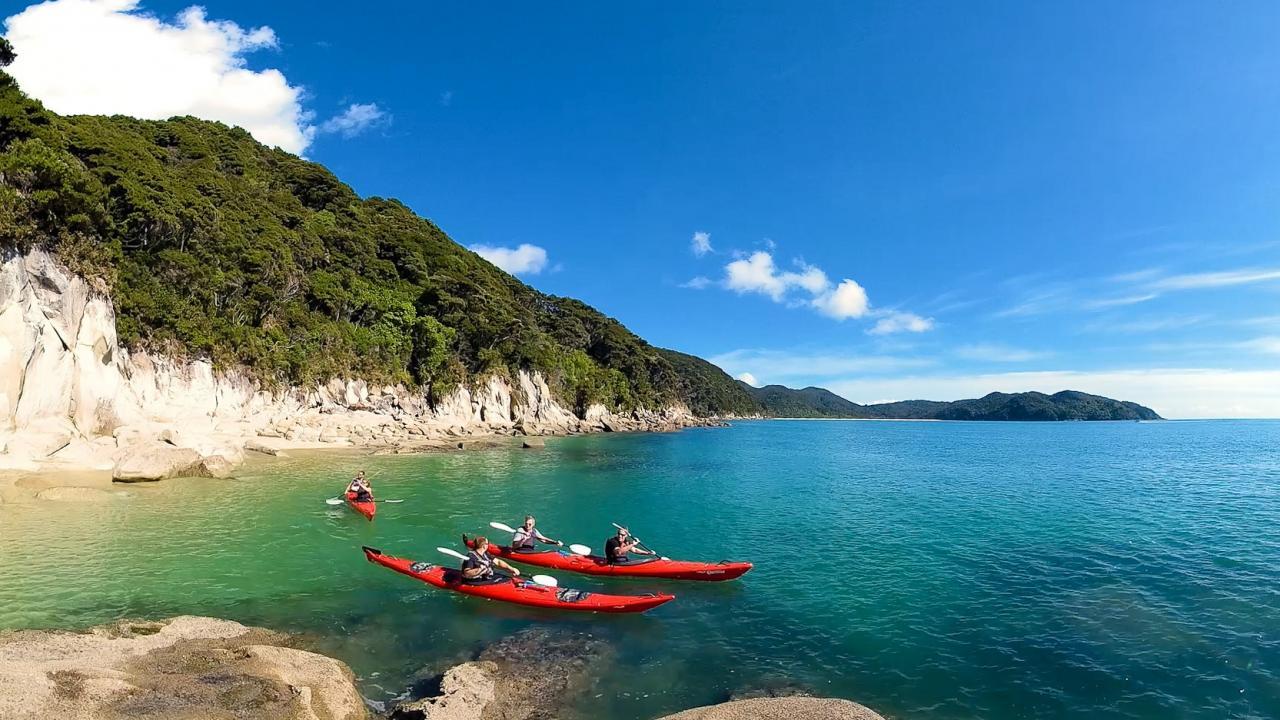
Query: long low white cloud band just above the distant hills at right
[[1172, 393]]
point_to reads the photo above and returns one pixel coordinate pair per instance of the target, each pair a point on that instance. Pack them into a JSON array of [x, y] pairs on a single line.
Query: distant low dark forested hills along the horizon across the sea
[[1068, 405]]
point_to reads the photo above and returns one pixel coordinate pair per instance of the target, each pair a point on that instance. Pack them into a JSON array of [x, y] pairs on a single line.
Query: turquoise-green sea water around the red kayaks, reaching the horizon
[[931, 571]]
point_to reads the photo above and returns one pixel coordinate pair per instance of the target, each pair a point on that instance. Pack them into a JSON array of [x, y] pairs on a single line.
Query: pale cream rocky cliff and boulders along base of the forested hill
[[70, 395]]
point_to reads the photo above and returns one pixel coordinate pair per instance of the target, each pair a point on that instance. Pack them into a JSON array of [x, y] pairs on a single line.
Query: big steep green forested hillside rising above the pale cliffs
[[213, 245]]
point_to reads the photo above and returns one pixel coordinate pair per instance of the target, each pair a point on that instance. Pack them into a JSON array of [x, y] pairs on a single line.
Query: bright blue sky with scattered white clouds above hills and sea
[[897, 200]]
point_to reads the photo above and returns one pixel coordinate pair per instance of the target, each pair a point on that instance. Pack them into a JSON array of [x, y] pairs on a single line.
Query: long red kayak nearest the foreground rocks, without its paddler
[[520, 593]]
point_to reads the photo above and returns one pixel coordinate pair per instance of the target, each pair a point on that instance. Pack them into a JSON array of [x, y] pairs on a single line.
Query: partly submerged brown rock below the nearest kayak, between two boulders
[[504, 685]]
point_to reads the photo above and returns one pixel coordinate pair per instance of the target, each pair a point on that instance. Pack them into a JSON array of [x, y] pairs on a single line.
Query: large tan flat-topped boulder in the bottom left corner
[[184, 668]]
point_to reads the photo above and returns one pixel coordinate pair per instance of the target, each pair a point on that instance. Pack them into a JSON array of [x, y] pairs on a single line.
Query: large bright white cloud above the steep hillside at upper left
[[109, 57]]
